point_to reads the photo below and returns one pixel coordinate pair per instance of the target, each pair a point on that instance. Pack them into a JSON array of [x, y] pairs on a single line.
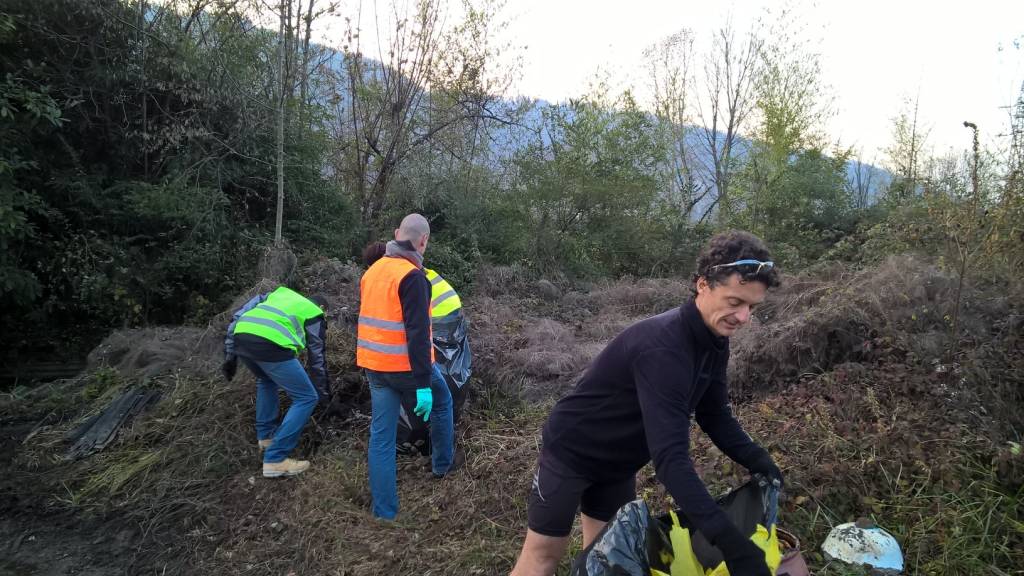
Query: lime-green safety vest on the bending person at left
[[281, 319]]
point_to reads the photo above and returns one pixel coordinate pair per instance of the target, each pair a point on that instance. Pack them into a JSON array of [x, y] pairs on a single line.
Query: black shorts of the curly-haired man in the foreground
[[559, 492]]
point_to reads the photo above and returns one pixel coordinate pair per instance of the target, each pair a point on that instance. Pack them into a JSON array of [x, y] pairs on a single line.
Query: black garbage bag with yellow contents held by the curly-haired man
[[636, 544]]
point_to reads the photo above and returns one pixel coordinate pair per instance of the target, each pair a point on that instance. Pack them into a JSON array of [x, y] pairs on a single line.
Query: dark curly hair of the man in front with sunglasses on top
[[730, 248]]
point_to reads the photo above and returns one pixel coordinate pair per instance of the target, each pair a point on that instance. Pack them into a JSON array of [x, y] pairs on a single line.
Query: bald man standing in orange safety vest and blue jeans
[[394, 347]]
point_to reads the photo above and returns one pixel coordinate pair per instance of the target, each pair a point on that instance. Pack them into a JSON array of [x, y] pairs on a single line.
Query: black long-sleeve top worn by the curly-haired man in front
[[634, 405]]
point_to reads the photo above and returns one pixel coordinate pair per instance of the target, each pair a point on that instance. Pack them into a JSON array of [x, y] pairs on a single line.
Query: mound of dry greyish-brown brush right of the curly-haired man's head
[[903, 307]]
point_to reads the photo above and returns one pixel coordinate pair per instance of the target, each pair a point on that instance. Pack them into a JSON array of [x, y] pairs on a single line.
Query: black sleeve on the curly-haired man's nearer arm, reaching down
[[664, 389]]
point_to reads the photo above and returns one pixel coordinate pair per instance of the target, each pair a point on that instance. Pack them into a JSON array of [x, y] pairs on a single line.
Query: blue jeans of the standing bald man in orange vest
[[387, 401]]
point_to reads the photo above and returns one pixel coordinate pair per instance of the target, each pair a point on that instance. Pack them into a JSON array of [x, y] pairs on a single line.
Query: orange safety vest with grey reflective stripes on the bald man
[[381, 343]]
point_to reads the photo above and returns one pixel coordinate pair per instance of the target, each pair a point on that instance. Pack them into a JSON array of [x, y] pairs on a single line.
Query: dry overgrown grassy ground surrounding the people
[[889, 435]]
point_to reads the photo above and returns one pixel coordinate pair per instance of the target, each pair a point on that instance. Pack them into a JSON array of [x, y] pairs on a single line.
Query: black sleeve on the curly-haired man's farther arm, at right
[[715, 418]]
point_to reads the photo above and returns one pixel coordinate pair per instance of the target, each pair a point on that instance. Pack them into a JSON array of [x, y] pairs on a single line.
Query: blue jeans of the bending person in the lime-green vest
[[291, 377]]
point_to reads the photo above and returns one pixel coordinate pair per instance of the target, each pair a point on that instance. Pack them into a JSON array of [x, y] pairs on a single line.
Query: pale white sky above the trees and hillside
[[959, 58]]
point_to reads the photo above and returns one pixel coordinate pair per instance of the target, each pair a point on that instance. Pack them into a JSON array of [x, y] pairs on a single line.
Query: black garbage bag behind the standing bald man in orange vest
[[452, 353]]
